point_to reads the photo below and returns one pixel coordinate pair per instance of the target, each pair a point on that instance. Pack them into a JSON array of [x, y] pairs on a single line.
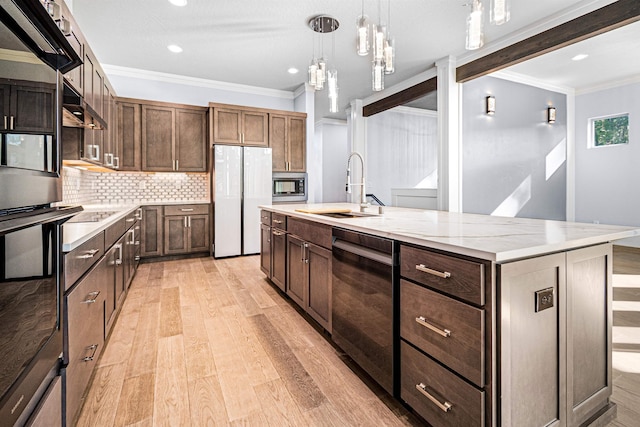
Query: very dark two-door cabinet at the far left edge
[[27, 107]]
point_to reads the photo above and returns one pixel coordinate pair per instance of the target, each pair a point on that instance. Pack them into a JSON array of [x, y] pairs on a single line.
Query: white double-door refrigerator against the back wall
[[242, 182]]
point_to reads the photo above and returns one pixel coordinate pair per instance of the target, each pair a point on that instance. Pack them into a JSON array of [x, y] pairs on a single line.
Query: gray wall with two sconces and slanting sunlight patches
[[514, 162]]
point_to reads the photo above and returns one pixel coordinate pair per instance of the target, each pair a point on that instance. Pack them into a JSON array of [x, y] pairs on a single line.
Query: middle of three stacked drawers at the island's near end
[[448, 330]]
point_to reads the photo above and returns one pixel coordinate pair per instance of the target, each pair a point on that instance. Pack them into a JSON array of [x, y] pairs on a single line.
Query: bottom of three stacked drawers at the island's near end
[[429, 389]]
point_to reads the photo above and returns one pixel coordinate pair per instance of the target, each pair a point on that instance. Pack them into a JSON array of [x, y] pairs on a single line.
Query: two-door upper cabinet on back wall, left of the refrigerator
[[173, 139]]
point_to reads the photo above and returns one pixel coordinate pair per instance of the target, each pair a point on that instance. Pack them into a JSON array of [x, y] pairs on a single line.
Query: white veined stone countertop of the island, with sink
[[493, 238]]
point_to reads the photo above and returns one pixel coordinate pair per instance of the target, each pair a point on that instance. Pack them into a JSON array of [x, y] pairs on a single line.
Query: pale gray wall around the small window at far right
[[607, 177]]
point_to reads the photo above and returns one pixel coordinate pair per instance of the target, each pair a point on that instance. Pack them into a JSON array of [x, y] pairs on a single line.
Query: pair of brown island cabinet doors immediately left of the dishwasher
[[309, 278]]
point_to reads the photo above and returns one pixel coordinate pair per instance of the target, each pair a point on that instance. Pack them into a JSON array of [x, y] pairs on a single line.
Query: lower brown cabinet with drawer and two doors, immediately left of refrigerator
[[186, 229]]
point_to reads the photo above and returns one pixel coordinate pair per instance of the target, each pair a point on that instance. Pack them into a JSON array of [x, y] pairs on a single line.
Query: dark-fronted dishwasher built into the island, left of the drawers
[[363, 302]]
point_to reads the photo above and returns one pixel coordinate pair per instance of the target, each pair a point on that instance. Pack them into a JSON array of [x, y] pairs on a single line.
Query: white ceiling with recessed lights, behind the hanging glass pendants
[[254, 42]]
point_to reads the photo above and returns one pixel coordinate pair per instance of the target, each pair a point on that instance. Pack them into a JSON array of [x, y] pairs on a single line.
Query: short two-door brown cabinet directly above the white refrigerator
[[240, 126]]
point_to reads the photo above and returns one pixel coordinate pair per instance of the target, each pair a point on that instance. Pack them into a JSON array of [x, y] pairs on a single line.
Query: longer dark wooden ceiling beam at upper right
[[610, 17]]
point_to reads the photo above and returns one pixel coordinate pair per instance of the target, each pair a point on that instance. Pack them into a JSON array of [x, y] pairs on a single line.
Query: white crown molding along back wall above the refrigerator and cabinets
[[116, 70]]
